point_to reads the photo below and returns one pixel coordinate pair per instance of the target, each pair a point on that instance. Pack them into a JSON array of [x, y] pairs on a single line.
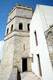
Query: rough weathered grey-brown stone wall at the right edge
[[49, 40]]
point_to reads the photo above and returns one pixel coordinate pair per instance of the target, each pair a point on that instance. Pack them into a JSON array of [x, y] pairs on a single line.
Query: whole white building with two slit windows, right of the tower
[[39, 44]]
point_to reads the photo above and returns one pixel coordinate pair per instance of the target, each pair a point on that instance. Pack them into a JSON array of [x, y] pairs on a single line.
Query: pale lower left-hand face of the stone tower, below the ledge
[[7, 59]]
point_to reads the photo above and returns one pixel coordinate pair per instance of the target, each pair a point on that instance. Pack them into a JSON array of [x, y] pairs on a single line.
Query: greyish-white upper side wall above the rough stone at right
[[46, 16]]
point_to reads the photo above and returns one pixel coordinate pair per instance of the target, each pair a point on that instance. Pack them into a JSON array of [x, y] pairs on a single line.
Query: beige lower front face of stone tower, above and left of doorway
[[21, 50]]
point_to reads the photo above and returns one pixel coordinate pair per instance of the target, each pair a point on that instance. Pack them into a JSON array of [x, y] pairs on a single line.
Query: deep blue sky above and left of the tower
[[7, 5]]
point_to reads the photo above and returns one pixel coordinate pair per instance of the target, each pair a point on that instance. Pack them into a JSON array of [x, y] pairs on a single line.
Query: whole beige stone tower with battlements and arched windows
[[16, 42]]
